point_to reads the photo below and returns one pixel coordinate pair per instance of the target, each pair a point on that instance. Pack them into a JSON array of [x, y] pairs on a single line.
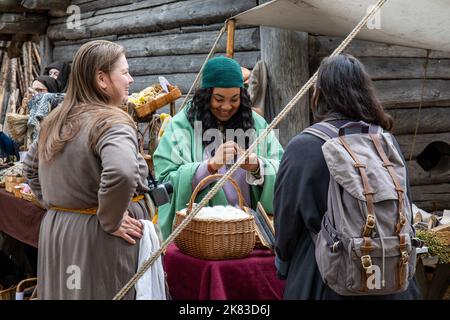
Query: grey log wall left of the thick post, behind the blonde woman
[[162, 37]]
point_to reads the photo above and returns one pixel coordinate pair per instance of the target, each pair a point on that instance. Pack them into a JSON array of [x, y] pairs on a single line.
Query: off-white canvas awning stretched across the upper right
[[413, 23]]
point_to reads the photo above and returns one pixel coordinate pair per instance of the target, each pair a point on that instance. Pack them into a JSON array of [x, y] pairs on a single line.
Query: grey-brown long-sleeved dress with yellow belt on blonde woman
[[78, 258]]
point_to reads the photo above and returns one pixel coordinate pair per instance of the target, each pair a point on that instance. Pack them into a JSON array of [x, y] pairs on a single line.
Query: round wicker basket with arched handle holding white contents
[[216, 239]]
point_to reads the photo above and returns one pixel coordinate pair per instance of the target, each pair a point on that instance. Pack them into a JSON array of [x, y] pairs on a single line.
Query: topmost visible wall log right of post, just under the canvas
[[322, 46]]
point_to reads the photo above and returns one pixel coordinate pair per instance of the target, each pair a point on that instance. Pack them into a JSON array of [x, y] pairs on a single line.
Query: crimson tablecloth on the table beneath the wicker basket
[[251, 278]]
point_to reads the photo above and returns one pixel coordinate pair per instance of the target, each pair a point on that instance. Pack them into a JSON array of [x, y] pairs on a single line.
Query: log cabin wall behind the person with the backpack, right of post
[[398, 74]]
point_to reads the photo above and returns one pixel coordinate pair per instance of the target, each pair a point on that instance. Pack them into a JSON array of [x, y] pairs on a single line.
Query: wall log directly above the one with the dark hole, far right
[[432, 120]]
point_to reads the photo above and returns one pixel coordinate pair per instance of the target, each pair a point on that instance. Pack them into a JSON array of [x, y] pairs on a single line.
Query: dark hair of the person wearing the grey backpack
[[343, 86]]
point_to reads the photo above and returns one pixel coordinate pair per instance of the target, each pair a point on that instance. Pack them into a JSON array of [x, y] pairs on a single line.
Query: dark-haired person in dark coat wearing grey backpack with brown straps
[[343, 221]]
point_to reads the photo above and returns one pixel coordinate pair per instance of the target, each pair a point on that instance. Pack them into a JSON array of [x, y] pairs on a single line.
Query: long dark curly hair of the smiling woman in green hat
[[200, 110]]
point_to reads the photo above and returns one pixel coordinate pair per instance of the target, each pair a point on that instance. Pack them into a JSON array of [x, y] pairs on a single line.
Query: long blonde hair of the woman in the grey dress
[[84, 97]]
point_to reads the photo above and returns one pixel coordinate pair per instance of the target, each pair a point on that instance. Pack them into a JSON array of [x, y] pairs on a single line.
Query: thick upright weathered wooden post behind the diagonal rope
[[286, 55]]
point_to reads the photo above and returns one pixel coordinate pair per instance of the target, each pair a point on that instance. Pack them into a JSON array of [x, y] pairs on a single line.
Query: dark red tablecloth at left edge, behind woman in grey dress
[[19, 218]]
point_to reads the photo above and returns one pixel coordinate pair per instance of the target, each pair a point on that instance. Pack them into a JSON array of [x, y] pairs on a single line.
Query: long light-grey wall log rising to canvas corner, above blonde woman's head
[[152, 19]]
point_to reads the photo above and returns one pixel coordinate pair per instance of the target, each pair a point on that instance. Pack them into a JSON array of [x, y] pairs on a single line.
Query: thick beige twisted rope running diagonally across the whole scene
[[241, 160]]
